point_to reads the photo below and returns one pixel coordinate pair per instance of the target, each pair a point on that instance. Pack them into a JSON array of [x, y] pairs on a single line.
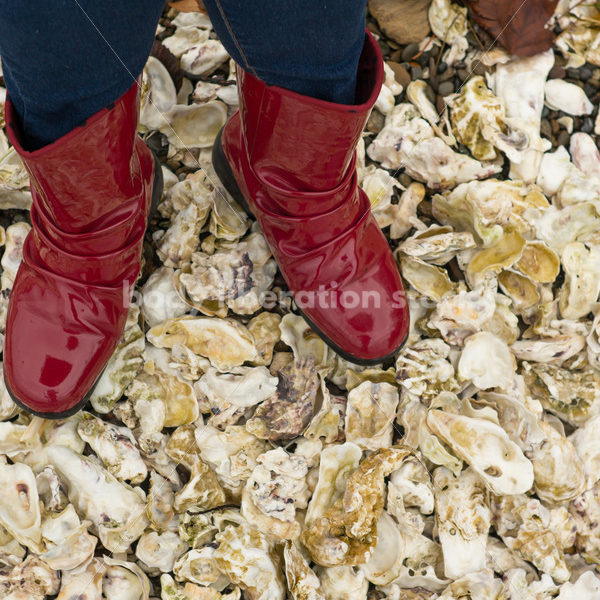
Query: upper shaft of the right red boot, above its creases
[[302, 143]]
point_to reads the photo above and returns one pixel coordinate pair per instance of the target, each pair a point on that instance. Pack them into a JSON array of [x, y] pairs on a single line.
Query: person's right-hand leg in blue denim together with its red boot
[[307, 81]]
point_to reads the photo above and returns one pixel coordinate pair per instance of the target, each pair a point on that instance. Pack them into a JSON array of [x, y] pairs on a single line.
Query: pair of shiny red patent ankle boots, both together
[[288, 158]]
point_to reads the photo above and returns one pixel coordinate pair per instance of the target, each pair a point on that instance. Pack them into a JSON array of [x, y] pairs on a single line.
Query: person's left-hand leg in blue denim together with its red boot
[[72, 115]]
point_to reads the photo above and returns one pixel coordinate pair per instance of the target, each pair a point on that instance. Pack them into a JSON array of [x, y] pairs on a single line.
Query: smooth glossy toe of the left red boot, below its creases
[[57, 343]]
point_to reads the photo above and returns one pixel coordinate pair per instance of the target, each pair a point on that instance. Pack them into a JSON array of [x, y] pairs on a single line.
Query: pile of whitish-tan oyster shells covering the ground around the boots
[[228, 453]]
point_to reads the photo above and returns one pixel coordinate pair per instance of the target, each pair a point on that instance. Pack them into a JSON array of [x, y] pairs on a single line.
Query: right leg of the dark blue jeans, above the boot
[[311, 46]]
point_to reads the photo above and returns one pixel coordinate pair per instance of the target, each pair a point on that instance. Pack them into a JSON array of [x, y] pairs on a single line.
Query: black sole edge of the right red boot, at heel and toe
[[225, 174]]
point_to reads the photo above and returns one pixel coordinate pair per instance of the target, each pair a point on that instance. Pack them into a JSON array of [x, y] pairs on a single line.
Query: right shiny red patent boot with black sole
[[290, 160]]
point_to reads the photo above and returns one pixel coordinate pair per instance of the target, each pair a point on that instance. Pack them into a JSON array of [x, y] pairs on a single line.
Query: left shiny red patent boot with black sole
[[93, 191]]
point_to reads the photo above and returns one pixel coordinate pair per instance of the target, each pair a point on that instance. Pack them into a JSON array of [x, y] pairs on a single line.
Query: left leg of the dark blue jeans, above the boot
[[64, 61]]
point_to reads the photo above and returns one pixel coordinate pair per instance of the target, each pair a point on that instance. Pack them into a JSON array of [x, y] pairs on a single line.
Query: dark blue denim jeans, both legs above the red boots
[[65, 60]]
